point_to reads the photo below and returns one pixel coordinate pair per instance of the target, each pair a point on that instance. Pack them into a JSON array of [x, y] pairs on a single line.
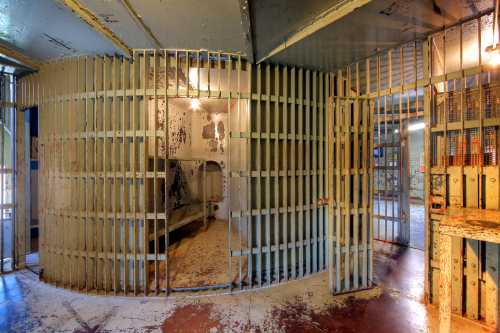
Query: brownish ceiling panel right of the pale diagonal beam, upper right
[[381, 24]]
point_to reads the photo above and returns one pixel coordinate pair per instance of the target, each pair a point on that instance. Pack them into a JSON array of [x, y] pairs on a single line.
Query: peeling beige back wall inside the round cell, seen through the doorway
[[201, 134]]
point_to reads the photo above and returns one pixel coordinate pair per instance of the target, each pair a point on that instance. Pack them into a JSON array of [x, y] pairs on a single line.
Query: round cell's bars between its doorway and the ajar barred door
[[285, 218]]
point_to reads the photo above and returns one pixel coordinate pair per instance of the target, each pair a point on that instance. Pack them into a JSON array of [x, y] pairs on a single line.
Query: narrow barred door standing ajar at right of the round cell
[[350, 161]]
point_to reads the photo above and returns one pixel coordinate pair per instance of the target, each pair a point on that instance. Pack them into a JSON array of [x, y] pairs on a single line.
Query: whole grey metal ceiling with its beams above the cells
[[47, 29]]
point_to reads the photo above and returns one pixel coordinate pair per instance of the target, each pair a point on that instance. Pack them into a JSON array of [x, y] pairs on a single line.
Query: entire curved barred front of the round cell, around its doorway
[[104, 144]]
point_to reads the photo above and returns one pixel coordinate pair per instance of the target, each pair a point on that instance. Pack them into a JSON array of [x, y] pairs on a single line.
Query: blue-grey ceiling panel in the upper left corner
[[45, 29]]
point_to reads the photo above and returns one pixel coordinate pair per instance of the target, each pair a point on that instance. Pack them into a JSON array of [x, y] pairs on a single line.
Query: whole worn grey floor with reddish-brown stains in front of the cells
[[27, 305]]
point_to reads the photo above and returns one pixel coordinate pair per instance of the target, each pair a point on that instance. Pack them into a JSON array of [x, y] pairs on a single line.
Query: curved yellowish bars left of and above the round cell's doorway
[[103, 145]]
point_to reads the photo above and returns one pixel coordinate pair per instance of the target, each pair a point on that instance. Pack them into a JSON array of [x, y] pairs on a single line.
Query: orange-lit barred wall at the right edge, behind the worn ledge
[[463, 148]]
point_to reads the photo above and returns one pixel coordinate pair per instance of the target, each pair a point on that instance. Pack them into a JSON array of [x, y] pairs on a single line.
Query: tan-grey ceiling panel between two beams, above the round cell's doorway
[[193, 24]]
